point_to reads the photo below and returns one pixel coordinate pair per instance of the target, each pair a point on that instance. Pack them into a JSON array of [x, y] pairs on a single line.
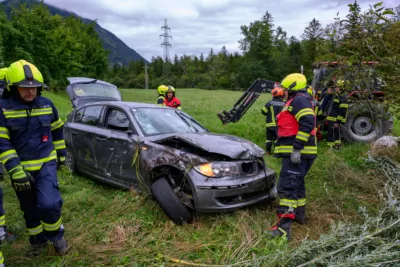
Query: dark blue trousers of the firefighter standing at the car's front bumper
[[291, 187]]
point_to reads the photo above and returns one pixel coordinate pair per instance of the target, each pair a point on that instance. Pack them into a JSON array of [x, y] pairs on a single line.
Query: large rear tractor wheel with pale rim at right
[[364, 125]]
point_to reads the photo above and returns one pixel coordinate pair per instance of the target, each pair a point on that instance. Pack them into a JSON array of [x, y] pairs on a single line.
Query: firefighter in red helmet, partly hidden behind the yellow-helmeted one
[[271, 110]]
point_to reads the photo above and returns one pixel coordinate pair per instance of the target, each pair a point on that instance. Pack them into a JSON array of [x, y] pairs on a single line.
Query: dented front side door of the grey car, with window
[[118, 152]]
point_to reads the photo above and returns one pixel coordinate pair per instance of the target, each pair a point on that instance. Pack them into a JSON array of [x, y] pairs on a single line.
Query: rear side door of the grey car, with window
[[83, 135]]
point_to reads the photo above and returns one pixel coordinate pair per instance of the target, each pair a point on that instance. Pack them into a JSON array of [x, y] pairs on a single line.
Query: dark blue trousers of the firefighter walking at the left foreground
[[42, 205]]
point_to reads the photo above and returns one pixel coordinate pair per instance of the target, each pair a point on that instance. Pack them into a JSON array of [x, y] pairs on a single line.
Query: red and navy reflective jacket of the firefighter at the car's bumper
[[296, 127]]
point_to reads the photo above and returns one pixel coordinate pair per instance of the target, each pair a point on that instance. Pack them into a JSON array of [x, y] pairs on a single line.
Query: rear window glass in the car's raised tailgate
[[97, 89]]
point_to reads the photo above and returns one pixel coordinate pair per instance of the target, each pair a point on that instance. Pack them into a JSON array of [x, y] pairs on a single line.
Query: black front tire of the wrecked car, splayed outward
[[170, 203]]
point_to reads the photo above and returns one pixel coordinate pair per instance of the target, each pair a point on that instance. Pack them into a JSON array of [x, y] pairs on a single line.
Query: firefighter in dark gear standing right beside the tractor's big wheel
[[336, 115]]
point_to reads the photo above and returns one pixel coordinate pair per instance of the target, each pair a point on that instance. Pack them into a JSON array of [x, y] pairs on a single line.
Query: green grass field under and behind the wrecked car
[[109, 227]]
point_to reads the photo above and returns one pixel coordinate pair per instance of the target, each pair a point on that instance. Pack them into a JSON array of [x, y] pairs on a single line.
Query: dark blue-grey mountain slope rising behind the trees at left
[[119, 51]]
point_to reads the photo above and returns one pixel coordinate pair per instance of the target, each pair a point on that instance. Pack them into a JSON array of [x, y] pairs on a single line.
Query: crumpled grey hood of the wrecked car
[[228, 145]]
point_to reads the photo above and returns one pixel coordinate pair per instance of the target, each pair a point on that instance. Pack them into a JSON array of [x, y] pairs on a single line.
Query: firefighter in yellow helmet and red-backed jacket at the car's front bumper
[[297, 147]]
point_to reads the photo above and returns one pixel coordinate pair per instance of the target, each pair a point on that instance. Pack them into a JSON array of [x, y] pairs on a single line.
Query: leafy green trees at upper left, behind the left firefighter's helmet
[[59, 47]]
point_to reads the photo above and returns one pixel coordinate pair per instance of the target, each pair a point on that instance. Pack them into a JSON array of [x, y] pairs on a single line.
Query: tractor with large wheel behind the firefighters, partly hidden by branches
[[368, 118]]
